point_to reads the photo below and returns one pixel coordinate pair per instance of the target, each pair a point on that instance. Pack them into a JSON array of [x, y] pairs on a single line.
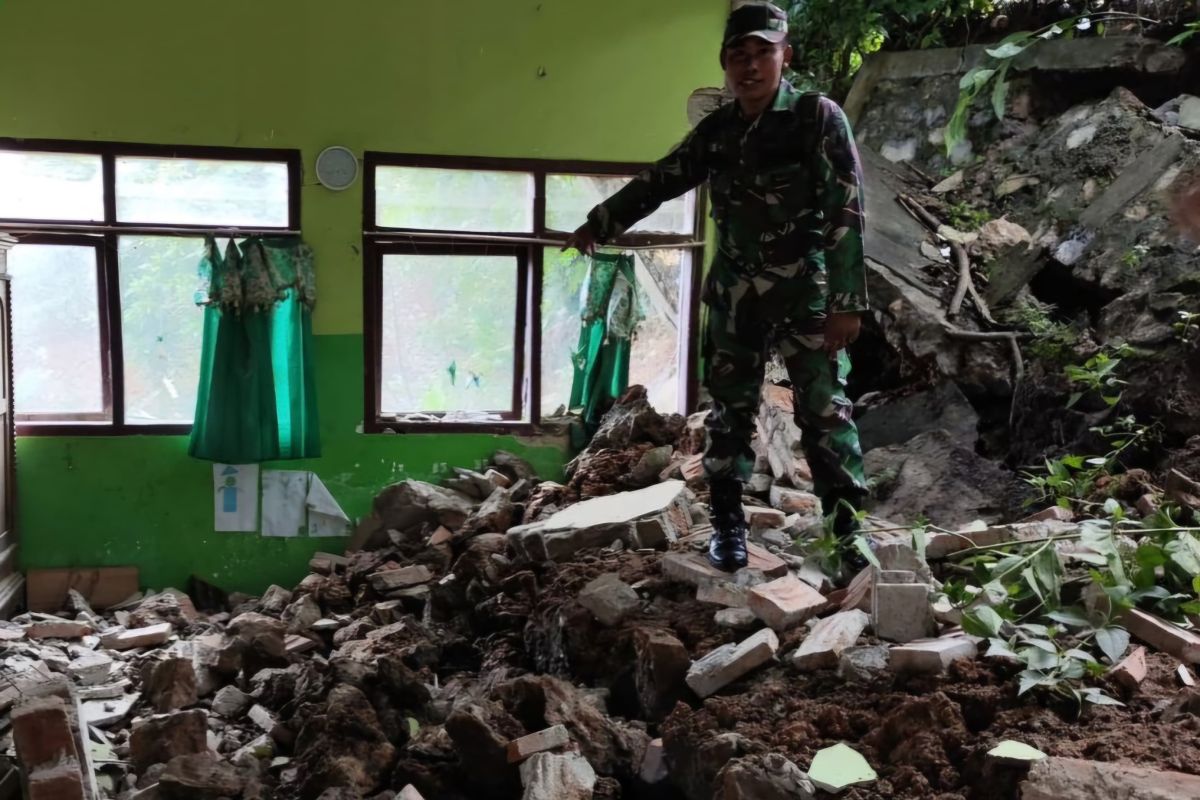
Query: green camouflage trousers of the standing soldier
[[740, 333]]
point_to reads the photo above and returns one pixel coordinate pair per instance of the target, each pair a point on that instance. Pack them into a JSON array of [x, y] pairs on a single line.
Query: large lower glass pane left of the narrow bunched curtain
[[448, 333]]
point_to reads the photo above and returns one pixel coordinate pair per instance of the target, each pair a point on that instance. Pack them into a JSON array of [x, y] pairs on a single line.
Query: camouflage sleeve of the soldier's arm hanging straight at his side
[[841, 184]]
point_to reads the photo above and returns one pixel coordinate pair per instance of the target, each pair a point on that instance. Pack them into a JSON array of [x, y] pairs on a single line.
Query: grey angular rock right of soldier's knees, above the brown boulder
[[944, 408]]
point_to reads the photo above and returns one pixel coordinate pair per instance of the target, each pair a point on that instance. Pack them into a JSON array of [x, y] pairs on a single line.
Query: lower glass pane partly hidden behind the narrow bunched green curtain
[[657, 351]]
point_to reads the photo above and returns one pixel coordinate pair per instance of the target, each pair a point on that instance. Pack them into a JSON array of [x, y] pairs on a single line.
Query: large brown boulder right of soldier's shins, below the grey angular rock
[[939, 478]]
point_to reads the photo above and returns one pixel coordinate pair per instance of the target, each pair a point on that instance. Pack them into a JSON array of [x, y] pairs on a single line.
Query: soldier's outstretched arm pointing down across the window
[[680, 171]]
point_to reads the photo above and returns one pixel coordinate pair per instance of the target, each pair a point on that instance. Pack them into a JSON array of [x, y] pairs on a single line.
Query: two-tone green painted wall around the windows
[[523, 79]]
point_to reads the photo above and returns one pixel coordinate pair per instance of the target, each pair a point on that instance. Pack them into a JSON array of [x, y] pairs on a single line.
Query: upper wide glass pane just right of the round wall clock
[[454, 200]]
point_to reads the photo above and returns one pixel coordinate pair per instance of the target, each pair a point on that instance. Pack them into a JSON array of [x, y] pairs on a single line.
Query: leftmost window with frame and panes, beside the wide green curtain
[[106, 329]]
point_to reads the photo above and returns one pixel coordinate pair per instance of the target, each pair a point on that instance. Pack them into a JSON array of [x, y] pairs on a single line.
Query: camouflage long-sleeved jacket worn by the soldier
[[787, 194]]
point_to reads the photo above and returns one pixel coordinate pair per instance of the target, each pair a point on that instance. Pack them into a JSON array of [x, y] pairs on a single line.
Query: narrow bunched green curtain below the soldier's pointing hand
[[610, 315]]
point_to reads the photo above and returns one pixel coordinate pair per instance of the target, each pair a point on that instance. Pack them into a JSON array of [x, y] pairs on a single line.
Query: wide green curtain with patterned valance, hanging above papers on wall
[[257, 398]]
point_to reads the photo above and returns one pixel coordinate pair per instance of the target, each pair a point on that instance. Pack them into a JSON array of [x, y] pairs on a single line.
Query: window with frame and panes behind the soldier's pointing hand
[[473, 312]]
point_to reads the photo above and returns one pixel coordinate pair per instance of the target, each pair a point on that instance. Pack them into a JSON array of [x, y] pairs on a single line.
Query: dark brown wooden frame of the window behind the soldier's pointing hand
[[380, 240]]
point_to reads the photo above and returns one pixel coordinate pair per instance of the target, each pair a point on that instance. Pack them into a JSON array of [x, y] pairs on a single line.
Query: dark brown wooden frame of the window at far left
[[105, 236]]
